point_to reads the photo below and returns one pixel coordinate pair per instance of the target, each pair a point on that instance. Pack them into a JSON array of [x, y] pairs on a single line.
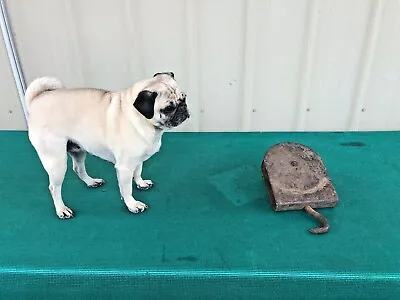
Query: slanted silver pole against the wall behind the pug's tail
[[12, 56]]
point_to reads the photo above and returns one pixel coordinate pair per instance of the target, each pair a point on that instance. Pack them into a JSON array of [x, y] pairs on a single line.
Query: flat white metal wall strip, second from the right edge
[[339, 35]]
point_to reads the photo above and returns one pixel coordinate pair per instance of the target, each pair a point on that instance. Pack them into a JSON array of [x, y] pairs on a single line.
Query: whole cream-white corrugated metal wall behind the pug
[[273, 65]]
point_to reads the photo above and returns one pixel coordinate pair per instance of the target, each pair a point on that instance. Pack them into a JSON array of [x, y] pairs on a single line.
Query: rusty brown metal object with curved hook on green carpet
[[296, 179]]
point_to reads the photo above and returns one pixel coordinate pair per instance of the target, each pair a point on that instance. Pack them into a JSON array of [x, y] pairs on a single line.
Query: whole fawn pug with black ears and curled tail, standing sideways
[[123, 127]]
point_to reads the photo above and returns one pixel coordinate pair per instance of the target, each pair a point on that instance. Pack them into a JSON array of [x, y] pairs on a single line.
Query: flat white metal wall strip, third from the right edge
[[279, 62]]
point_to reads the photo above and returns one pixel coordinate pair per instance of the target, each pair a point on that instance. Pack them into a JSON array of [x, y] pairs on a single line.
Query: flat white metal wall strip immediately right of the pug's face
[[221, 44]]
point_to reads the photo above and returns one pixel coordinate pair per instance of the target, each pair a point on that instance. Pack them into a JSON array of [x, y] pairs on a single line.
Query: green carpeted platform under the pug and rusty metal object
[[210, 232]]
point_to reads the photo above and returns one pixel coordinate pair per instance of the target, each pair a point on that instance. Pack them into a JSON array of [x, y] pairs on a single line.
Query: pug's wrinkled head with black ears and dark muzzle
[[162, 102]]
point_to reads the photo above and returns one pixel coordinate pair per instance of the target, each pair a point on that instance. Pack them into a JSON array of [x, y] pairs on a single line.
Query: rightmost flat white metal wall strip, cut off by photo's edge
[[379, 105]]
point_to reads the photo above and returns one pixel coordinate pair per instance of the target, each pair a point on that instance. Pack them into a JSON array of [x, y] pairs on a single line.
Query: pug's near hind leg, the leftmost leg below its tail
[[53, 155]]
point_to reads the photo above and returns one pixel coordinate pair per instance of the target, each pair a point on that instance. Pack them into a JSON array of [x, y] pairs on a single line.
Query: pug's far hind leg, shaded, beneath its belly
[[78, 156]]
